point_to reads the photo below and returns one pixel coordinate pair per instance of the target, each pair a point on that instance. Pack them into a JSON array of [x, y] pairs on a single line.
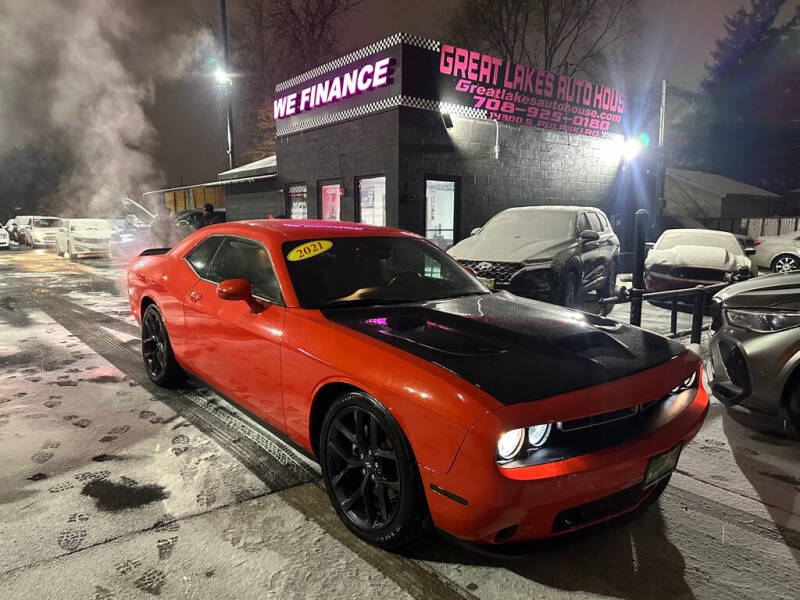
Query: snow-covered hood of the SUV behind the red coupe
[[512, 249]]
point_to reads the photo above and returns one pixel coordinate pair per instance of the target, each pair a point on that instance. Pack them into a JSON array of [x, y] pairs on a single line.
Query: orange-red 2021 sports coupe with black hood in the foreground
[[422, 394]]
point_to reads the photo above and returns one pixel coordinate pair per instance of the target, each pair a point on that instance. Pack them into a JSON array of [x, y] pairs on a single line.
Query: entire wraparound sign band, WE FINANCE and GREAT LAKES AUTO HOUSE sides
[[408, 70]]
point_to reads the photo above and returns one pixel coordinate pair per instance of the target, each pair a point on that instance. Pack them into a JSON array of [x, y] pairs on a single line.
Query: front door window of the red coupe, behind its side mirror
[[239, 258]]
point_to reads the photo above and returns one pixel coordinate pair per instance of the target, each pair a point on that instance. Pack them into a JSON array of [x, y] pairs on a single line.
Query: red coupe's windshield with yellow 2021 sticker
[[373, 270]]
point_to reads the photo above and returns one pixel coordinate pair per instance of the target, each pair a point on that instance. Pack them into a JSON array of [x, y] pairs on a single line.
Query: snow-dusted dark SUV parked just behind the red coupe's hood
[[550, 253]]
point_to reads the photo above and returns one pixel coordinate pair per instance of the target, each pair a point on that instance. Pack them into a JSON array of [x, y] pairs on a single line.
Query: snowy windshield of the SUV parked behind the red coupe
[[531, 224]]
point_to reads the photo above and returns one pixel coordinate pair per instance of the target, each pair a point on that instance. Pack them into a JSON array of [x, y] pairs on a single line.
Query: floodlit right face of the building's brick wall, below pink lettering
[[535, 167]]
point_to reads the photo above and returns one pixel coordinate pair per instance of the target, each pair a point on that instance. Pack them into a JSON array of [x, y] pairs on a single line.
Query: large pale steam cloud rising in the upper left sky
[[84, 71]]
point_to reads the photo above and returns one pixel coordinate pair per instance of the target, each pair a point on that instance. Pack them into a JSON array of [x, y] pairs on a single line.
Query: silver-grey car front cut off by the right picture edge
[[754, 359]]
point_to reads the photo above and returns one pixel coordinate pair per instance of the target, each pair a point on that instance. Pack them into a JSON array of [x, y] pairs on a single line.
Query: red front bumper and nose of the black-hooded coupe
[[540, 501]]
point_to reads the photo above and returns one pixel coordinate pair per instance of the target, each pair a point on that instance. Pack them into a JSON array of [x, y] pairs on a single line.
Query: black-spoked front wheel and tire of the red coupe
[[361, 445]]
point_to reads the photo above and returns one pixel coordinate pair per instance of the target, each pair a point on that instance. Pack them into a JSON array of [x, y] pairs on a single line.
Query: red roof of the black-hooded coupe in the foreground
[[302, 229]]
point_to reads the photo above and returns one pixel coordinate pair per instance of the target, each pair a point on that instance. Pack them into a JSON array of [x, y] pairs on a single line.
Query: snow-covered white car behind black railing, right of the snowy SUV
[[684, 258]]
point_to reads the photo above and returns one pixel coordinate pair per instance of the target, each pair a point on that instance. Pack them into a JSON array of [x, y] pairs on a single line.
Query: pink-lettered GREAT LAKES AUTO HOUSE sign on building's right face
[[523, 95]]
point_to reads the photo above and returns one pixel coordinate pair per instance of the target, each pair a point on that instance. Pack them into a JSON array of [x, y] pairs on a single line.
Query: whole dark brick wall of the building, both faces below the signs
[[407, 145]]
